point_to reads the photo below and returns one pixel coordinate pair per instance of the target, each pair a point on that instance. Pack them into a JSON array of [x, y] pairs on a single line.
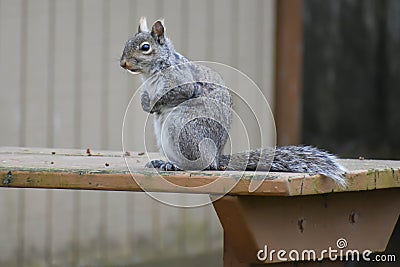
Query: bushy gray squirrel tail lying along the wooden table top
[[302, 159]]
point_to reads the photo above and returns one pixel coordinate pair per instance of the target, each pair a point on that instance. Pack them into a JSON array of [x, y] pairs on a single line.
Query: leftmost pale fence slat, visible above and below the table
[[10, 73]]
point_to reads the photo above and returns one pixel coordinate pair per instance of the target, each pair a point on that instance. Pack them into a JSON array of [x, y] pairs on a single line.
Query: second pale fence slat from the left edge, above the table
[[34, 66]]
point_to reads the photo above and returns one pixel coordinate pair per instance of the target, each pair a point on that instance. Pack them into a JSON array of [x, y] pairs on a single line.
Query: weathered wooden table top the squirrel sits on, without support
[[107, 170]]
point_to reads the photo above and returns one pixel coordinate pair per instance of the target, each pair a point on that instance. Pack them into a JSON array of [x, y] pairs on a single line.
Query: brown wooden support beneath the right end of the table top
[[359, 220]]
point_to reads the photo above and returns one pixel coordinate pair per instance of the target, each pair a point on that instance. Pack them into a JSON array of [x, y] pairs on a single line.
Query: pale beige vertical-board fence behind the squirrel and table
[[61, 86]]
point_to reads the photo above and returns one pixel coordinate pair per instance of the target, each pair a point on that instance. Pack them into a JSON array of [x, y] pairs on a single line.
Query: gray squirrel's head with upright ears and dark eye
[[146, 48]]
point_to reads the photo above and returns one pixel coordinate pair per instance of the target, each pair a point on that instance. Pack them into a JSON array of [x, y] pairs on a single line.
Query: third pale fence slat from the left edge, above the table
[[66, 73]]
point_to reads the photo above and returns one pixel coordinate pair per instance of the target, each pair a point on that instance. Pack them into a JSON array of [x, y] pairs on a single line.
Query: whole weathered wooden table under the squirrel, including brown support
[[286, 211]]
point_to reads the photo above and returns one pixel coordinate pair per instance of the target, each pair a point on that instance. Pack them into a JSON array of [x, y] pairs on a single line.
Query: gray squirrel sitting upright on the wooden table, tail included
[[192, 114]]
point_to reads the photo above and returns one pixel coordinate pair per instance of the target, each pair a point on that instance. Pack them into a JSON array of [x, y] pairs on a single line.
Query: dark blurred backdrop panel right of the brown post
[[352, 76]]
